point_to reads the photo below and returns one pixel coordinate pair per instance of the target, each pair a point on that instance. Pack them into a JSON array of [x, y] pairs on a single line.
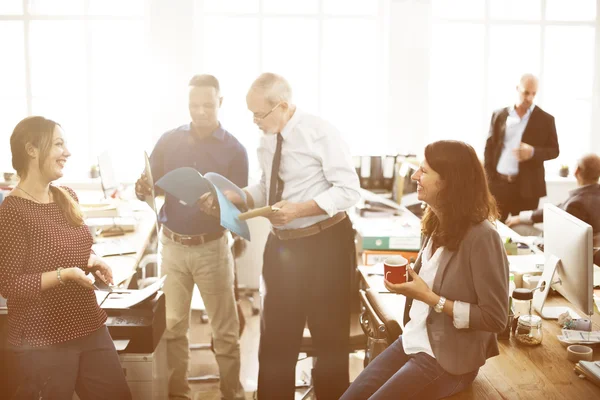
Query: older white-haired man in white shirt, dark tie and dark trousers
[[309, 258]]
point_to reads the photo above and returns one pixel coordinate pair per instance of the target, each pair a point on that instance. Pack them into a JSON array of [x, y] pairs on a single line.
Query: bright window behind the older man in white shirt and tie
[[331, 52]]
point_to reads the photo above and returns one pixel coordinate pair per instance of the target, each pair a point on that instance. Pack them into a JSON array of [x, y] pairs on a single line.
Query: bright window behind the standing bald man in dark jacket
[[481, 47]]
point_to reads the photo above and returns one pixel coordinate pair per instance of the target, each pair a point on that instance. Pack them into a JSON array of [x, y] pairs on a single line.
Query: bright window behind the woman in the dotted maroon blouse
[[80, 63]]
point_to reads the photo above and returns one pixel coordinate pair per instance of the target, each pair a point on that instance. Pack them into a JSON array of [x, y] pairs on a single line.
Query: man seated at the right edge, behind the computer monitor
[[583, 202]]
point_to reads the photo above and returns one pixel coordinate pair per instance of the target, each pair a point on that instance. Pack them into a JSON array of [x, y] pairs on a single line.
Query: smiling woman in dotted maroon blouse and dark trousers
[[55, 326]]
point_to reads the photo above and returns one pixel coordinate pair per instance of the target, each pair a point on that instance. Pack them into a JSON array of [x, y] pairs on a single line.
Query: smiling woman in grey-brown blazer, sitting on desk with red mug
[[457, 297]]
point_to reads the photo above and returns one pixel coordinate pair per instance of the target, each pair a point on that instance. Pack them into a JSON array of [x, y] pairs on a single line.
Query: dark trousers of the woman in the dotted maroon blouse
[[88, 365]]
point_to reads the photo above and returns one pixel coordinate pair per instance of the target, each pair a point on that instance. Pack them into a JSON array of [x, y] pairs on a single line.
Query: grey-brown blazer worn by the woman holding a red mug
[[476, 273]]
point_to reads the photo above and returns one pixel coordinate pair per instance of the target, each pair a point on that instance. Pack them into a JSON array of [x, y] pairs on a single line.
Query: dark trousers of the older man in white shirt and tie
[[307, 280]]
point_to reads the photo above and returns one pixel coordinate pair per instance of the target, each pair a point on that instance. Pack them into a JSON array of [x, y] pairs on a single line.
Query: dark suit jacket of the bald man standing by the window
[[539, 133]]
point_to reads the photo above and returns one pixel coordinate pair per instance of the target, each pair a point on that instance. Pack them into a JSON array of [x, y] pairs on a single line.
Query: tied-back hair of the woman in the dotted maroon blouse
[[39, 131]]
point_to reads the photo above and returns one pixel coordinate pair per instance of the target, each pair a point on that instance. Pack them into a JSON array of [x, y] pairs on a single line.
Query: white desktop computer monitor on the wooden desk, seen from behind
[[568, 250]]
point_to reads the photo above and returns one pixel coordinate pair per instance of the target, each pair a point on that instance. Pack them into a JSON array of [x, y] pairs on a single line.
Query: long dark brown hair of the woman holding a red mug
[[464, 200]]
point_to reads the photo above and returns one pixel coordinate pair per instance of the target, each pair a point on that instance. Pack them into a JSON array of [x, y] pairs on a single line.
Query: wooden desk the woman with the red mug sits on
[[519, 372]]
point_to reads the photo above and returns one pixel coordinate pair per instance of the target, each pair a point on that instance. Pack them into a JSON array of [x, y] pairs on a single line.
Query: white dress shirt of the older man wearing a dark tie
[[315, 165]]
